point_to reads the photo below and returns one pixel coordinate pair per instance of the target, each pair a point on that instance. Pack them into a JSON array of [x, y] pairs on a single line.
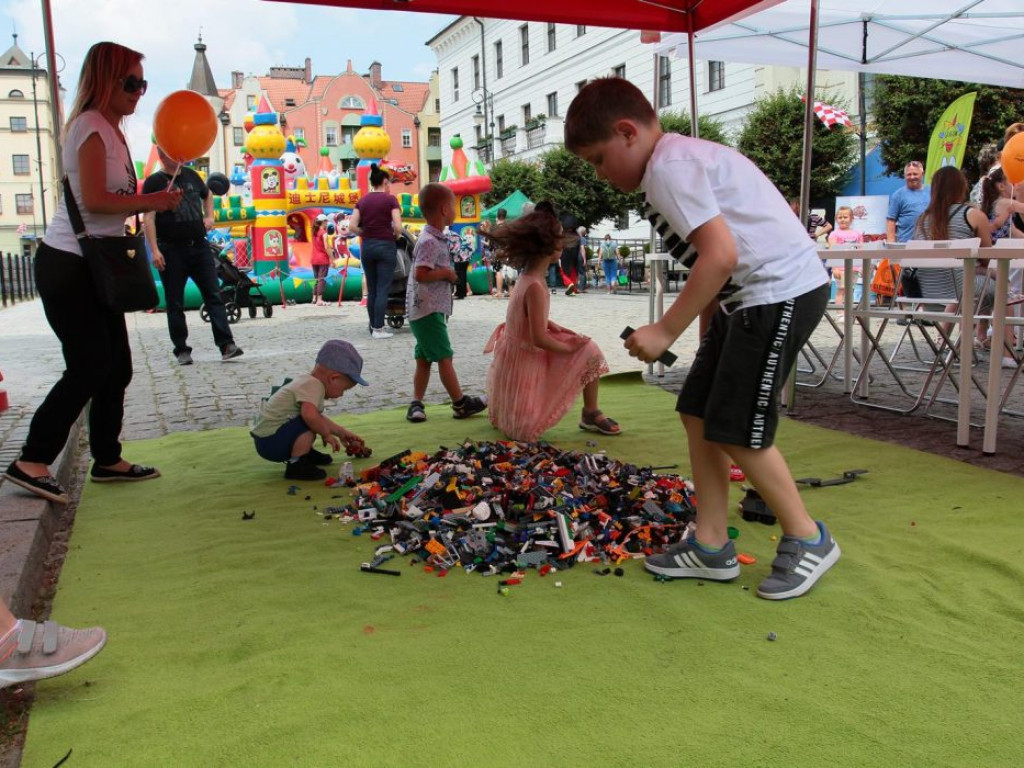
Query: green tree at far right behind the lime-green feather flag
[[908, 109]]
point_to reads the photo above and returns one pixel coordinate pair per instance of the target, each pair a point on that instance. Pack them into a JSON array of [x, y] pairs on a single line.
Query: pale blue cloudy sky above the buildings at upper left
[[249, 36]]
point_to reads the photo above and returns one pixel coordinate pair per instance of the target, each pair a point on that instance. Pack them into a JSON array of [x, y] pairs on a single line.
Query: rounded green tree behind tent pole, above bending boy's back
[[774, 139]]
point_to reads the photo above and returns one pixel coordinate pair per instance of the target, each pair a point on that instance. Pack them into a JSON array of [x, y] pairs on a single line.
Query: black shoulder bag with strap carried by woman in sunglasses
[[120, 269]]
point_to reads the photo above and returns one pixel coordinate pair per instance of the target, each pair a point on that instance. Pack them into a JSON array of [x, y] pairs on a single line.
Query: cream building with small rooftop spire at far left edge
[[29, 187]]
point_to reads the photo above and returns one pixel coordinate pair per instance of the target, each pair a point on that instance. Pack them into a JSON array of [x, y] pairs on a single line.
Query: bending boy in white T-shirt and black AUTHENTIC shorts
[[758, 281]]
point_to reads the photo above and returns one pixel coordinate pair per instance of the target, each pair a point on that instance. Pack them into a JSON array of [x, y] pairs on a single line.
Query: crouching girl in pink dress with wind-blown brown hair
[[539, 367]]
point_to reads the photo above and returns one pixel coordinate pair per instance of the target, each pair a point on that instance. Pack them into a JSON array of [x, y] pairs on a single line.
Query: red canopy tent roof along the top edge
[[665, 16]]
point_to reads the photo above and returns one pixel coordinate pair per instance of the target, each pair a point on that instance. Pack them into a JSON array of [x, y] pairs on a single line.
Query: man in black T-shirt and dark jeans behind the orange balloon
[[178, 243]]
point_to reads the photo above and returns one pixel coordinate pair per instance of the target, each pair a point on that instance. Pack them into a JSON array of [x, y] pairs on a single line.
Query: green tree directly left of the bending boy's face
[[572, 186]]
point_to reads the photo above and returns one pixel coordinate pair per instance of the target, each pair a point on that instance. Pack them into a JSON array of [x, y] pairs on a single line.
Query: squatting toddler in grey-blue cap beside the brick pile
[[289, 421]]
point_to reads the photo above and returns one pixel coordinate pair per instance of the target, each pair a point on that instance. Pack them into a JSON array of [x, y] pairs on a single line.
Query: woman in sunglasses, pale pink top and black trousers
[[94, 339]]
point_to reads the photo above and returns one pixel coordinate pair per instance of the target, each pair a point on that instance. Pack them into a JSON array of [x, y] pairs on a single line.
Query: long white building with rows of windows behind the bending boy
[[505, 86]]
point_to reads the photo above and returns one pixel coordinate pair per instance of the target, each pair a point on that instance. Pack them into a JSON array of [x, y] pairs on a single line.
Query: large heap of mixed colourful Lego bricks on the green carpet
[[499, 507]]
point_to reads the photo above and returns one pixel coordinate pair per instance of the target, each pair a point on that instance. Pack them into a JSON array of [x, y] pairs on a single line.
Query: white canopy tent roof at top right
[[978, 41]]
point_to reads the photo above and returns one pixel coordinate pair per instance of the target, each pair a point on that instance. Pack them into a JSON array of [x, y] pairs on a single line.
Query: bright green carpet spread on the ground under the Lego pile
[[261, 643]]
